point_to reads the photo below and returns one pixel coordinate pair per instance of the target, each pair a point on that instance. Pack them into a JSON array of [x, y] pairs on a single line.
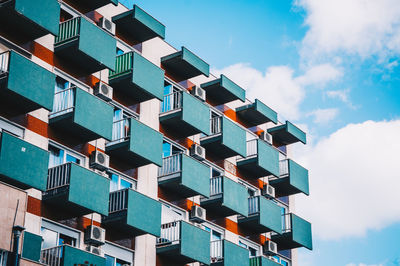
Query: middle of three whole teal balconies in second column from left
[[81, 114]]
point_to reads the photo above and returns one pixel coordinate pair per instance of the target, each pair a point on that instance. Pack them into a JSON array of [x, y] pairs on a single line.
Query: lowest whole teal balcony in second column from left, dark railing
[[77, 190]]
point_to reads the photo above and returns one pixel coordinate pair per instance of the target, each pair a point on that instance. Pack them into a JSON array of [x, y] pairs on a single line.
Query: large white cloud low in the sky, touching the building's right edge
[[354, 180]]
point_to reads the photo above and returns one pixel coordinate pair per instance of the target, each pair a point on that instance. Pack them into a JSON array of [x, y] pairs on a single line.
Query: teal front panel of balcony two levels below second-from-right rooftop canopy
[[270, 215]]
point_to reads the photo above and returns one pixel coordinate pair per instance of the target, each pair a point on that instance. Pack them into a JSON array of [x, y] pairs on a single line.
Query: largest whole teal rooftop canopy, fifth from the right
[[138, 25]]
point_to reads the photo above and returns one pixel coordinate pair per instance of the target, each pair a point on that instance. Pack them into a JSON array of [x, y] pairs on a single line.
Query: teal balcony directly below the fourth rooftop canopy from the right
[[184, 114]]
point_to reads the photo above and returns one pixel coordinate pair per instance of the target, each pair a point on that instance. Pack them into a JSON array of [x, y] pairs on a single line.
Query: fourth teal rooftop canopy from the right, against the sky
[[184, 65]]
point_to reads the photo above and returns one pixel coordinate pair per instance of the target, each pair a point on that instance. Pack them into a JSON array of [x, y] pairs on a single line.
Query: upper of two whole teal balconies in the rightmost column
[[293, 179]]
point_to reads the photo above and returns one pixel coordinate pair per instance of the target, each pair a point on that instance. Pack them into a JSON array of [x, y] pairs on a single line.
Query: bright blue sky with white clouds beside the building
[[331, 67]]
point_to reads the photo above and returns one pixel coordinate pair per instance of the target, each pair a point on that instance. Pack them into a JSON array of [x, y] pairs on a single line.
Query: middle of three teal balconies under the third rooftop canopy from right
[[226, 197]]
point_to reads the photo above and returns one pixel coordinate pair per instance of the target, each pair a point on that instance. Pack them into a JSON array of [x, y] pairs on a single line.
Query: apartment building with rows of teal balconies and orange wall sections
[[118, 149]]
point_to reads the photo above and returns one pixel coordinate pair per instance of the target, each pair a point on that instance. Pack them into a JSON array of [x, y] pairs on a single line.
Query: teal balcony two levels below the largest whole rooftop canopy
[[135, 143]]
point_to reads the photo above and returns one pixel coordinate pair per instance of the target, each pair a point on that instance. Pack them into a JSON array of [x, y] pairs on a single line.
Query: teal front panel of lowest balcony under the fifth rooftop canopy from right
[[138, 205]]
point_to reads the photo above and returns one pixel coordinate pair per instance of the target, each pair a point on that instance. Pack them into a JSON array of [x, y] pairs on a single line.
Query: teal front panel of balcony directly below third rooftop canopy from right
[[234, 137]]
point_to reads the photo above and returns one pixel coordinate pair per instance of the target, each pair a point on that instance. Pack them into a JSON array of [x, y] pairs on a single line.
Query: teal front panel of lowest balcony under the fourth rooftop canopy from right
[[195, 243]]
